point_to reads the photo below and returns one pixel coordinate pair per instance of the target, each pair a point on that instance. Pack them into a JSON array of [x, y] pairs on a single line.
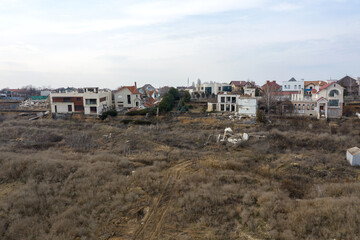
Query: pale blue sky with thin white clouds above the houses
[[51, 43]]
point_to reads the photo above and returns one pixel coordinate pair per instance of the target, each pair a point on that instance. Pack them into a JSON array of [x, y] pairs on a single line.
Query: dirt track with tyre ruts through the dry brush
[[154, 220]]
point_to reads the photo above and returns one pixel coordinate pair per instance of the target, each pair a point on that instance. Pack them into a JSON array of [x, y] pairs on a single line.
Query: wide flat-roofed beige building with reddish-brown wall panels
[[90, 100]]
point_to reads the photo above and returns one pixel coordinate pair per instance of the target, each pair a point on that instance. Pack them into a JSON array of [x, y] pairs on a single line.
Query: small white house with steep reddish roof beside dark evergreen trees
[[127, 97]]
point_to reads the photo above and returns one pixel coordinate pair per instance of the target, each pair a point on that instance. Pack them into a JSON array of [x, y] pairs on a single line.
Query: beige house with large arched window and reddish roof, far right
[[326, 102]]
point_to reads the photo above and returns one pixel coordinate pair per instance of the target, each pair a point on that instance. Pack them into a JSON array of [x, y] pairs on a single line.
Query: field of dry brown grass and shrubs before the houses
[[71, 180]]
